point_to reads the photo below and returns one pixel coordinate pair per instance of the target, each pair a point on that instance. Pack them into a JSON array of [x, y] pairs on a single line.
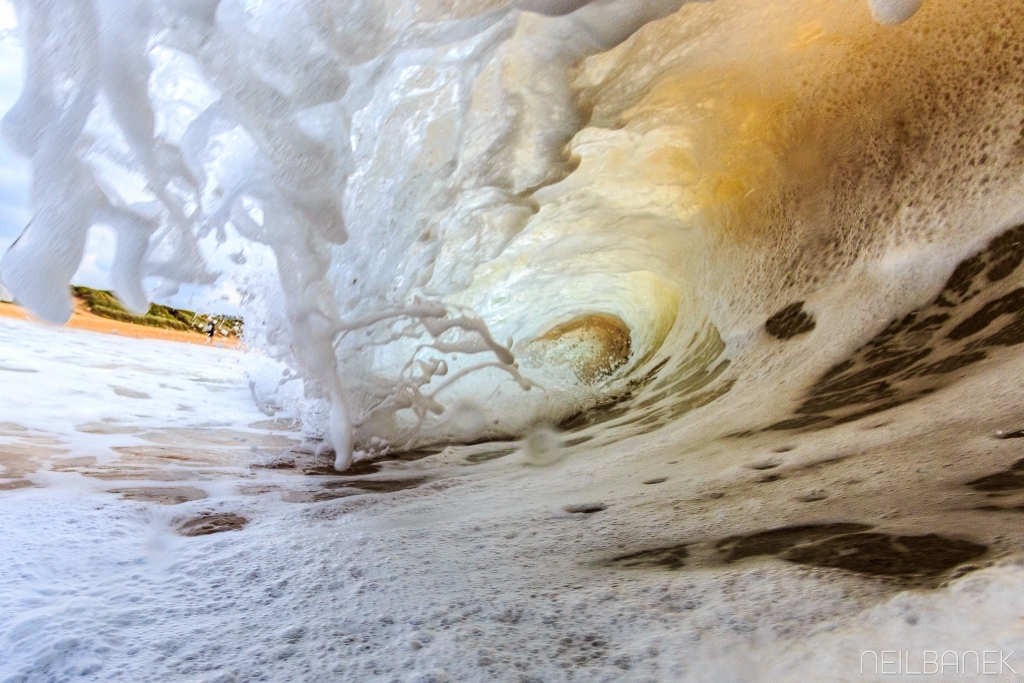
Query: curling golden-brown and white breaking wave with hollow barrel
[[488, 217]]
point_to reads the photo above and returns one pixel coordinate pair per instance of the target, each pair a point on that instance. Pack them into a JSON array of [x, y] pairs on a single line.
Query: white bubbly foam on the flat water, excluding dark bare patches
[[482, 575]]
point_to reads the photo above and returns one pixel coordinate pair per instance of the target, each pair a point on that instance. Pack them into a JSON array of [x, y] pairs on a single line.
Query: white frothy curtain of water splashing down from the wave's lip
[[172, 120]]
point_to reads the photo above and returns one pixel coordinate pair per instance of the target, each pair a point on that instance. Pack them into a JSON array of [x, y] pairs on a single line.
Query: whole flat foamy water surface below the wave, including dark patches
[[629, 563]]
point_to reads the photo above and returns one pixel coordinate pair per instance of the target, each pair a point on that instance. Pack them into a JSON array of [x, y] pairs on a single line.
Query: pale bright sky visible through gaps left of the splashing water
[[16, 182]]
